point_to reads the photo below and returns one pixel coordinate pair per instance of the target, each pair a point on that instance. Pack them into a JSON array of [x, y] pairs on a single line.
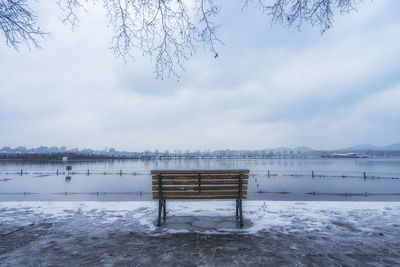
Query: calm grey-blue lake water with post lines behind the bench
[[289, 179]]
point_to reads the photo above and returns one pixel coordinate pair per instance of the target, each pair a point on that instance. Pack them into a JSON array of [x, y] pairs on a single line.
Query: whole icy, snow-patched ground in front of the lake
[[199, 233]]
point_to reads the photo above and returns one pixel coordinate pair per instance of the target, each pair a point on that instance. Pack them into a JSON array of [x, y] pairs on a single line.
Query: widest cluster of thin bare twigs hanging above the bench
[[161, 29]]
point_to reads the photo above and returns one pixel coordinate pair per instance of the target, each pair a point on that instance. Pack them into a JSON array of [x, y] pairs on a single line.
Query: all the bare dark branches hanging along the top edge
[[168, 31]]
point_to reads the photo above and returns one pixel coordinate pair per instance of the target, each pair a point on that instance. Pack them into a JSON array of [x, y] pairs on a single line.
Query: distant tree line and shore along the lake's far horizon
[[56, 153]]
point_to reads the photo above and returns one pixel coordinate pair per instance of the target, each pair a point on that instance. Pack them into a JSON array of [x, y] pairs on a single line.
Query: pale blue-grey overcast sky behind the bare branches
[[271, 86]]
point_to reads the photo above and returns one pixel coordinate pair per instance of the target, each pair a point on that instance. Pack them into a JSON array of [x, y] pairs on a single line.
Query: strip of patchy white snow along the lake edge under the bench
[[259, 215]]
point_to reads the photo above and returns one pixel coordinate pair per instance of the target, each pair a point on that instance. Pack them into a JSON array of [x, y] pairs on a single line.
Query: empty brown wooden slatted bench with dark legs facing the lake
[[199, 184]]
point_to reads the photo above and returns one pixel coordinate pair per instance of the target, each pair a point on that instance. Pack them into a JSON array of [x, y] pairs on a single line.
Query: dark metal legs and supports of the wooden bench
[[162, 207]]
